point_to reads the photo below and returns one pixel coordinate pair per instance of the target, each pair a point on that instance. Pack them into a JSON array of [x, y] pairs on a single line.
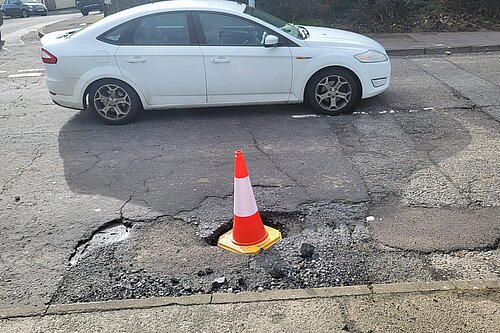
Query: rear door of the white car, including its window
[[161, 57]]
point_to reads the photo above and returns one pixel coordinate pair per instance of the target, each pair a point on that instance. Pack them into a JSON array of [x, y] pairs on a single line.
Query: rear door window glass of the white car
[[161, 29]]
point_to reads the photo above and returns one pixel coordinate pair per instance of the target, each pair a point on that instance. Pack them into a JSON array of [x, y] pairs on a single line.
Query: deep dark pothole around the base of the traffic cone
[[288, 224]]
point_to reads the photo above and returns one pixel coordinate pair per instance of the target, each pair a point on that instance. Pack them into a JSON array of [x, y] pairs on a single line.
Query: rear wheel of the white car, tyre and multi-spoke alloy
[[103, 96]]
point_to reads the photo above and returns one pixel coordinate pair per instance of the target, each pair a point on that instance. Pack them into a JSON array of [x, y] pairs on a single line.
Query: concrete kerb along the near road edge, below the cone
[[250, 297]]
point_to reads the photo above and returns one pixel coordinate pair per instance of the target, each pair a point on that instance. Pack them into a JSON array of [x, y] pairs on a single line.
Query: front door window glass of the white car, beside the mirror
[[220, 29]]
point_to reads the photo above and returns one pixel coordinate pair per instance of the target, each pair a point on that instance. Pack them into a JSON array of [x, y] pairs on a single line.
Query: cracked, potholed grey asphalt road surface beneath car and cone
[[421, 161]]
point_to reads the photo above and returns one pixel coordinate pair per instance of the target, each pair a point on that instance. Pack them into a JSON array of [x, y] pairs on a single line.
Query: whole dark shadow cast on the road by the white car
[[173, 160]]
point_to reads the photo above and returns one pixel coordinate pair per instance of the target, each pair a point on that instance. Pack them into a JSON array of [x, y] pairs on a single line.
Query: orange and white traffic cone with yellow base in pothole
[[249, 235]]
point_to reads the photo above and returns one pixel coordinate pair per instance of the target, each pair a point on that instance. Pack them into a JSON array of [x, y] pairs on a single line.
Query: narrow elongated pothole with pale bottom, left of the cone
[[110, 233]]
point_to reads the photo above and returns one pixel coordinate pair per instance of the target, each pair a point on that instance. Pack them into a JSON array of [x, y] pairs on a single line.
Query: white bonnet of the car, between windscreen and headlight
[[327, 37]]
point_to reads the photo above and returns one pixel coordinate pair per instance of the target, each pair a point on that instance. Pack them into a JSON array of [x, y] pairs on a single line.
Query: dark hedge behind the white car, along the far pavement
[[379, 15]]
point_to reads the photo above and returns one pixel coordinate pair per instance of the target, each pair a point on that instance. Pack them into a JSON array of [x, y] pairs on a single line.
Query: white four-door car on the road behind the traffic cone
[[183, 54]]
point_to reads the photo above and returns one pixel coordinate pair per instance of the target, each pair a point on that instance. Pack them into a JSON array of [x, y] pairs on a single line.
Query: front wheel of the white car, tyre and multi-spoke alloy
[[333, 91]]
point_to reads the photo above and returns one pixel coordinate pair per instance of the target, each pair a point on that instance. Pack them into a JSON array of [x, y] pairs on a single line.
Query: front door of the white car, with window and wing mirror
[[240, 69]]
